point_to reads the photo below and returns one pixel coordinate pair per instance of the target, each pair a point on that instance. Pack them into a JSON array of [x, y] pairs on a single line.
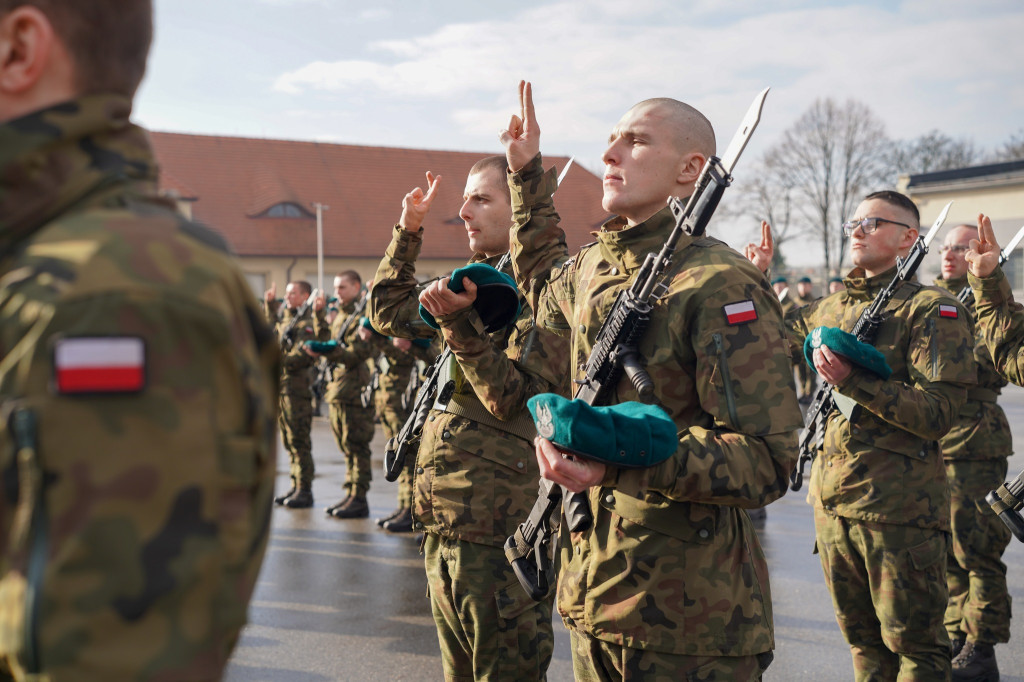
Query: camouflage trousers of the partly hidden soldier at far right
[[979, 603]]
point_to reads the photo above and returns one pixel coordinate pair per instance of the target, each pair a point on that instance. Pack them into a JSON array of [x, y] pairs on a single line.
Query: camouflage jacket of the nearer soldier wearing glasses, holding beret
[[859, 475]]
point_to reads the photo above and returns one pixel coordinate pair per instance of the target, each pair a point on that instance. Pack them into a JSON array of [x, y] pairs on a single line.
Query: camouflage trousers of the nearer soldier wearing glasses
[[888, 585]]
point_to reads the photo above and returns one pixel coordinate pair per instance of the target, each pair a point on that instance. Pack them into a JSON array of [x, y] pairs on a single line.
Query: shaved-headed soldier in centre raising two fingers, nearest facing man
[[670, 582]]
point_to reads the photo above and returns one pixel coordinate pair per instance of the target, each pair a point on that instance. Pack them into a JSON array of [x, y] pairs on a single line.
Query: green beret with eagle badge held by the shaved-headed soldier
[[628, 435]]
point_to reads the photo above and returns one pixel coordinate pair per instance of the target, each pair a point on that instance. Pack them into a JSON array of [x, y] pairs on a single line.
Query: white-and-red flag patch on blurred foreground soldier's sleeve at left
[[100, 365]]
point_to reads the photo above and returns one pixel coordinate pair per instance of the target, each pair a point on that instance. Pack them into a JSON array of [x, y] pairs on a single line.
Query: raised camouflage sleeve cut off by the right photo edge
[[1001, 324]]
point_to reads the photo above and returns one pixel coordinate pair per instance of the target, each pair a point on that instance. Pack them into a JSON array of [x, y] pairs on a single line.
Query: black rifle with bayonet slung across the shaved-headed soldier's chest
[[616, 353]]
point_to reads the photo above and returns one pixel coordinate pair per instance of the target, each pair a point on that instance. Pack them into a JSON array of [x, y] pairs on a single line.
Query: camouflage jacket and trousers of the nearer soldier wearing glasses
[[878, 486]]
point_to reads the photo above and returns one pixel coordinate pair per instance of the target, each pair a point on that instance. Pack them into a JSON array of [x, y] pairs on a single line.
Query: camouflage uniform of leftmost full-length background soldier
[[295, 416]]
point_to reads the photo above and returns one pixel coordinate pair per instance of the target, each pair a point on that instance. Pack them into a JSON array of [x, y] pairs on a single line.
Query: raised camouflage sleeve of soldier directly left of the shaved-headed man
[[394, 308]]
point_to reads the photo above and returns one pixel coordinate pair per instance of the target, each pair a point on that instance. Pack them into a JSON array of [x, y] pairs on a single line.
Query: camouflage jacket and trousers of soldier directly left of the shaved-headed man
[[476, 480]]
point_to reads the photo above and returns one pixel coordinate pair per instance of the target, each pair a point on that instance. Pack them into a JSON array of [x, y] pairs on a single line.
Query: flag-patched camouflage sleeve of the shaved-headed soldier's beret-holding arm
[[745, 382]]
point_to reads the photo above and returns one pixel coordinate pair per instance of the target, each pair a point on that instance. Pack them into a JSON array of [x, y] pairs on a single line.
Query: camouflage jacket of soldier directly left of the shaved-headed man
[[477, 477]]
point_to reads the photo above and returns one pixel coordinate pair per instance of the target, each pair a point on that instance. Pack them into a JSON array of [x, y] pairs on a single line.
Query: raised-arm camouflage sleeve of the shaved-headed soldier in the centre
[[538, 243]]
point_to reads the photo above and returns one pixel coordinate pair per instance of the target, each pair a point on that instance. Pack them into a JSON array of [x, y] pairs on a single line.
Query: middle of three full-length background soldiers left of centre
[[352, 423]]
